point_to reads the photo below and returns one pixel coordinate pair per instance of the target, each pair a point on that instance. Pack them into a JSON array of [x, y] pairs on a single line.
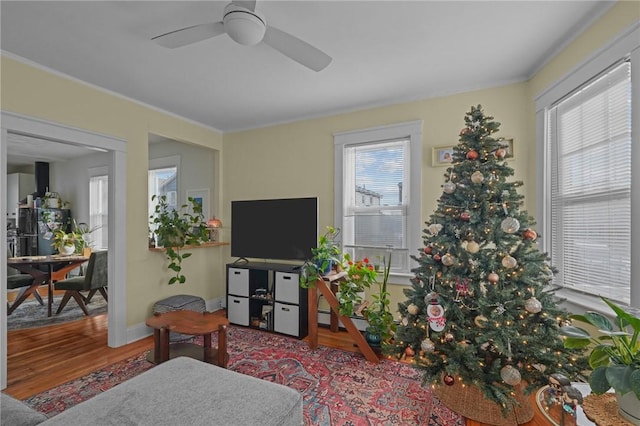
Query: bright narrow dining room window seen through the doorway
[[99, 212]]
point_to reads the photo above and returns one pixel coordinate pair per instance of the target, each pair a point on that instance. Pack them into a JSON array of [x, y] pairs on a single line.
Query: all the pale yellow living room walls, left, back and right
[[288, 160]]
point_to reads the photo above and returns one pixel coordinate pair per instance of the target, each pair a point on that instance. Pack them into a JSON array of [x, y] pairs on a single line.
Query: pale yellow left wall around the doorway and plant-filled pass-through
[[36, 93]]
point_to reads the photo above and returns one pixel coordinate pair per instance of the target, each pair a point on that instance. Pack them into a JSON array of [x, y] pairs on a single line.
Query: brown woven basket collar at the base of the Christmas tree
[[470, 402]]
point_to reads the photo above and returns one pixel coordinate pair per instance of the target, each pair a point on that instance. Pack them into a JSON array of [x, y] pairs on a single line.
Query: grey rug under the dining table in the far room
[[31, 314]]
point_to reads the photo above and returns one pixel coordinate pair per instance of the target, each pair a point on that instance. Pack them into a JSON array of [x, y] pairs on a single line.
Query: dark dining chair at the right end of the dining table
[[94, 280]]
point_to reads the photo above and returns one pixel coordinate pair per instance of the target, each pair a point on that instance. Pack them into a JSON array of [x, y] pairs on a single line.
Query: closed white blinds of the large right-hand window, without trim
[[589, 136]]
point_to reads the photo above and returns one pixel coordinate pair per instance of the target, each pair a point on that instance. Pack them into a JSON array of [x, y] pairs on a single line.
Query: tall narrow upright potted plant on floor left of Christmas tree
[[378, 315]]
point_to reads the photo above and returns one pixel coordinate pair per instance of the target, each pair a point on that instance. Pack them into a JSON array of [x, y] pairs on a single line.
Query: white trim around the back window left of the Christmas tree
[[411, 130]]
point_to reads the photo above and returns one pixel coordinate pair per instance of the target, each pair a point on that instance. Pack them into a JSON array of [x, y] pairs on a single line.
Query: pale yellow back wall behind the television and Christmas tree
[[297, 159]]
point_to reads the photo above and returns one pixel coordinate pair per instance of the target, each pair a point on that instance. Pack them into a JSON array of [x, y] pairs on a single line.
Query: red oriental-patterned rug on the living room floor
[[338, 387]]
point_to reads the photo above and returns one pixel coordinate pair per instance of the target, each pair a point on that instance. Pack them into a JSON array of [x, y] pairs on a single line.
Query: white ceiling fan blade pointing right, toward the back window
[[296, 49]]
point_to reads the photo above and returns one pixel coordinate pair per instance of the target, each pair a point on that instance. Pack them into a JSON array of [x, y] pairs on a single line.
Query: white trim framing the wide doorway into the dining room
[[22, 125]]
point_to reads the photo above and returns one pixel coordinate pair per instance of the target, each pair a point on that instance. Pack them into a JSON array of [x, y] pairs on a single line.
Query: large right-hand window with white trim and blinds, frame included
[[588, 185]]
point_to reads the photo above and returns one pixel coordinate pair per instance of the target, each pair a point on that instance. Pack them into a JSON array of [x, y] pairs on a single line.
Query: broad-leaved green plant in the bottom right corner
[[614, 357]]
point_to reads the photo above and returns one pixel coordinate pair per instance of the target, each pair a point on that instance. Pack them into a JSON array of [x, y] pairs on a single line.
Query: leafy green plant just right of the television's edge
[[325, 257]]
